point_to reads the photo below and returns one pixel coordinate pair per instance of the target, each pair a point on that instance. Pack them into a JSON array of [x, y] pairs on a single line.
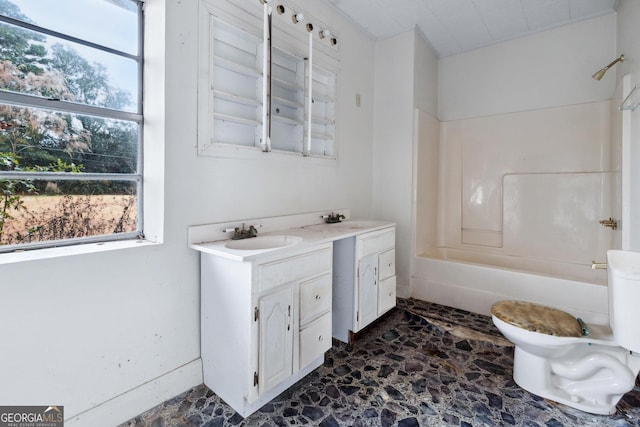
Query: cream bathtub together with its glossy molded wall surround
[[509, 207]]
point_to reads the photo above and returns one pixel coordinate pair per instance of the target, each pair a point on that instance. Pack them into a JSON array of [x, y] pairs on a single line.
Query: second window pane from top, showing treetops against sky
[[46, 66]]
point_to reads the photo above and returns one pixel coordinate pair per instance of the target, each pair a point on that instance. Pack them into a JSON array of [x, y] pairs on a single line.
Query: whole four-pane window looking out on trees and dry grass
[[70, 122]]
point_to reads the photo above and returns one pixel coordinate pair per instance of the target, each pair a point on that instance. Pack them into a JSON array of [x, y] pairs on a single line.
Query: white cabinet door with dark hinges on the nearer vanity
[[276, 338]]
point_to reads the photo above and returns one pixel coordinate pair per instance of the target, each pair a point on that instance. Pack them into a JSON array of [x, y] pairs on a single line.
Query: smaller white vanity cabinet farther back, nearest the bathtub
[[364, 280]]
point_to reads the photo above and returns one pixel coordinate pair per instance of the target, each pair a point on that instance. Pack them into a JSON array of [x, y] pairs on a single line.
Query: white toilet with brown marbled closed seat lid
[[560, 358]]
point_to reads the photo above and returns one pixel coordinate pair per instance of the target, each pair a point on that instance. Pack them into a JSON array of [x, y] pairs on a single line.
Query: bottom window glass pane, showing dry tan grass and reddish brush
[[56, 210]]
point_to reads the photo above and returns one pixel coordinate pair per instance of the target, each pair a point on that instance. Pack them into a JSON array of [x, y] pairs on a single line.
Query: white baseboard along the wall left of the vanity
[[131, 403]]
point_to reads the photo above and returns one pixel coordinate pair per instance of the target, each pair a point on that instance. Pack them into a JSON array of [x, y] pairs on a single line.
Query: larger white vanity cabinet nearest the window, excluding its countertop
[[265, 323]]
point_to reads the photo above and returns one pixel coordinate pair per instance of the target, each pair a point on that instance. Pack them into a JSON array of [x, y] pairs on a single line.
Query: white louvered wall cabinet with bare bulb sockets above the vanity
[[267, 81]]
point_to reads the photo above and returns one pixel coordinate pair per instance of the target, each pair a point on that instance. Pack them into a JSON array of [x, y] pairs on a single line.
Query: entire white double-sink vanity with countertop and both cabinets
[[270, 304]]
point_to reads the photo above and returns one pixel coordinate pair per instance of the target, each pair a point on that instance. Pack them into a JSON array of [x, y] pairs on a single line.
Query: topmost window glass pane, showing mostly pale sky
[[110, 23]]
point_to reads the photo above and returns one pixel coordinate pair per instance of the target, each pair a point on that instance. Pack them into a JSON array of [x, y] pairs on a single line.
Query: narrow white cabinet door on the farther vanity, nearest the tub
[[367, 290]]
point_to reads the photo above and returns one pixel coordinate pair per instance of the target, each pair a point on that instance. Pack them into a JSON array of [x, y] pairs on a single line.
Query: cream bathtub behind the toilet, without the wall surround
[[473, 281]]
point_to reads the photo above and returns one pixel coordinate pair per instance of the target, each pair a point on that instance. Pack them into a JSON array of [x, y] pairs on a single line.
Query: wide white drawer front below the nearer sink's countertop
[[295, 268]]
